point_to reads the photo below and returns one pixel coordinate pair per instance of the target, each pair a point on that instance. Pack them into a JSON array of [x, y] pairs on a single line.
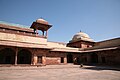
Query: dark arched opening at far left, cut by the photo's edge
[[7, 56]]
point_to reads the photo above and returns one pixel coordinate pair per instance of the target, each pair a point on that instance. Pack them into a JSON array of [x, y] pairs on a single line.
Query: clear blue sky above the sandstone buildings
[[100, 19]]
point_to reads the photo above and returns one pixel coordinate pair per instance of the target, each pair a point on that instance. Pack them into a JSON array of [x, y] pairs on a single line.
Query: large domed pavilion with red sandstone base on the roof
[[81, 40]]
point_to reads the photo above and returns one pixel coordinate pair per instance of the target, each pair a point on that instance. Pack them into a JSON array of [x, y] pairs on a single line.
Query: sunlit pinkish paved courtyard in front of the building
[[59, 72]]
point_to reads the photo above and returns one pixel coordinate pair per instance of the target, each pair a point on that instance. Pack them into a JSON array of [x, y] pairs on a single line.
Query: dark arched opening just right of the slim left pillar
[[24, 57]]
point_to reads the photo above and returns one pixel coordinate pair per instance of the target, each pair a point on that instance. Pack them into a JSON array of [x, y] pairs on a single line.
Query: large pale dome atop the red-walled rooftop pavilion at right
[[81, 36]]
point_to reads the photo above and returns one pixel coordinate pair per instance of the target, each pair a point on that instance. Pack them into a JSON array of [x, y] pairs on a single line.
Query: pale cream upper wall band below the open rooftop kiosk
[[22, 38]]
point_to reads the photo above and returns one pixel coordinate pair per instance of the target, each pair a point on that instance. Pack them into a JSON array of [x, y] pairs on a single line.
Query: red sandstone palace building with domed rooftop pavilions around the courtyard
[[26, 46]]
